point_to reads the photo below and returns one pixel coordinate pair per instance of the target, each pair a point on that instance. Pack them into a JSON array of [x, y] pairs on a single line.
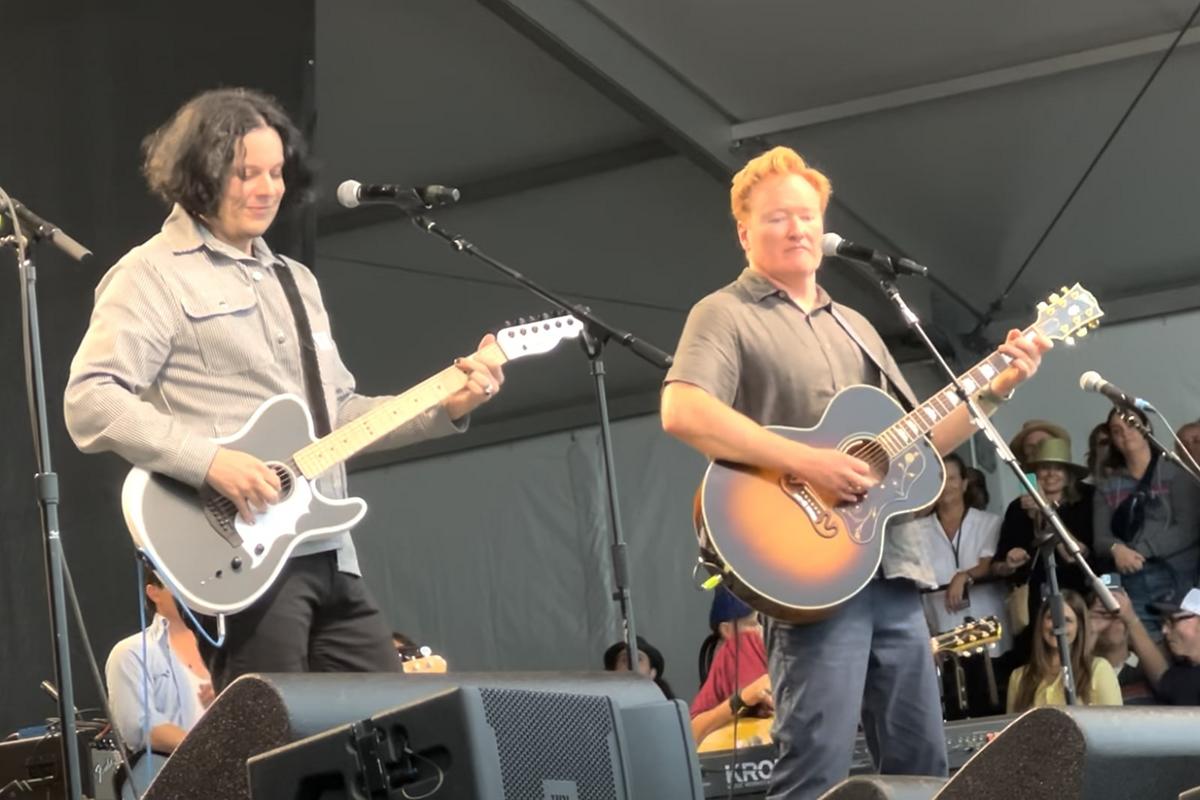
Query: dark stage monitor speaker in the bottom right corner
[[1087, 753]]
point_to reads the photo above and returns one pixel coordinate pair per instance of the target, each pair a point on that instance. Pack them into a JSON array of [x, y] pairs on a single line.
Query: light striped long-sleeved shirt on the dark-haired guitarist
[[188, 339]]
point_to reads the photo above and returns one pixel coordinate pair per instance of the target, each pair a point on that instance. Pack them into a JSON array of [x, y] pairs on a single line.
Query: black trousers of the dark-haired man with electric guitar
[[314, 619]]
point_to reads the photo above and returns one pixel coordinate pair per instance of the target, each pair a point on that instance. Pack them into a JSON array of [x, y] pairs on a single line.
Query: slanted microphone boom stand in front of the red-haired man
[[887, 284]]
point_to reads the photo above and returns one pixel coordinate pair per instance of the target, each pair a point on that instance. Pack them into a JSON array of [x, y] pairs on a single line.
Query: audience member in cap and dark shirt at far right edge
[[1175, 684]]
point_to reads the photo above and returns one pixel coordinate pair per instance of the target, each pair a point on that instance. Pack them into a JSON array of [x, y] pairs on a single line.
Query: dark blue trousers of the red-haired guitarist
[[869, 661]]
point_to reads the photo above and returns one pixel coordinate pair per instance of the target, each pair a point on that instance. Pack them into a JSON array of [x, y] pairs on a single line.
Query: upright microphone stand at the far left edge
[[46, 484]]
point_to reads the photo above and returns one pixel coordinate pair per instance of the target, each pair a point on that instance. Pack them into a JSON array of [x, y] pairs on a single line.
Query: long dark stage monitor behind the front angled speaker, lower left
[[261, 713]]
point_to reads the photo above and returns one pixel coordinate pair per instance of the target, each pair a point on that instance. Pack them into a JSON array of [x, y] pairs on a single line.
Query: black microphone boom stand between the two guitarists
[[596, 335]]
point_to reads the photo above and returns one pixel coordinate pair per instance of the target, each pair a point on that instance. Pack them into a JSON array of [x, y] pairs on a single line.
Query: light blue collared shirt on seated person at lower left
[[175, 690]]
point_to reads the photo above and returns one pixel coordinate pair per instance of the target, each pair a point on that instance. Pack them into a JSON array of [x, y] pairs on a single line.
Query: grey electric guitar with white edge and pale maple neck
[[218, 563]]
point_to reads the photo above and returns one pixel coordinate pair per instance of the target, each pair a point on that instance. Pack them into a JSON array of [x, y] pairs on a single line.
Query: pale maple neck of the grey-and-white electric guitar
[[369, 429]]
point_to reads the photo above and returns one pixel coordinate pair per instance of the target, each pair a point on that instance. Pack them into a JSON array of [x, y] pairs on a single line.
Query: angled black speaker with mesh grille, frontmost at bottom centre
[[493, 744]]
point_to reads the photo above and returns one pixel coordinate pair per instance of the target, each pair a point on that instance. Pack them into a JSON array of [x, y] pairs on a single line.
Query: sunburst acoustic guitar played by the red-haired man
[[791, 552]]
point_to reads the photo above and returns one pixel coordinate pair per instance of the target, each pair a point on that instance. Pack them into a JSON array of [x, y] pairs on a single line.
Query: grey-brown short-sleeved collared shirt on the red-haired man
[[751, 346]]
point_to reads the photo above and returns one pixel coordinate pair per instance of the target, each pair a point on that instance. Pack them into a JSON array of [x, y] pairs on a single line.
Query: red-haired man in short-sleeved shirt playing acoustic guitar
[[773, 348]]
